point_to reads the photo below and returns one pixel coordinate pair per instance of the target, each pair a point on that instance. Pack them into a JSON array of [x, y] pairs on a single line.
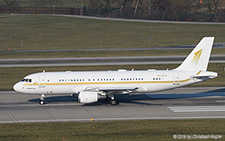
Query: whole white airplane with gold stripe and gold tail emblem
[[93, 85]]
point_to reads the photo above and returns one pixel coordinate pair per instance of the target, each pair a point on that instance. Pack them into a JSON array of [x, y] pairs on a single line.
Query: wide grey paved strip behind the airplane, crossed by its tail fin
[[88, 61]]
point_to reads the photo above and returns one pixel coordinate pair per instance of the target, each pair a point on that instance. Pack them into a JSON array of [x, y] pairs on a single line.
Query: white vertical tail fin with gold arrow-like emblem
[[198, 59]]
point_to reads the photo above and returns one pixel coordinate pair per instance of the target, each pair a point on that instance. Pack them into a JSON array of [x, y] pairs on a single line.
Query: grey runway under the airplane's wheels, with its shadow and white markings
[[181, 103]]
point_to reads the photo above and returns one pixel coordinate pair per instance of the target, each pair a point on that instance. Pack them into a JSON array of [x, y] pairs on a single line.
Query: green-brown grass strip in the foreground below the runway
[[113, 130]]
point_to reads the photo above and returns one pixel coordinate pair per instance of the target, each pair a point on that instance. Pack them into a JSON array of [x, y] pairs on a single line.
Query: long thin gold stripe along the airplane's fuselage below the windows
[[83, 83]]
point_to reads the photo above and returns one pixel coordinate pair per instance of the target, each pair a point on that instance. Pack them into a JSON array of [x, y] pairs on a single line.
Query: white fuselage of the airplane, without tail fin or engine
[[74, 82]]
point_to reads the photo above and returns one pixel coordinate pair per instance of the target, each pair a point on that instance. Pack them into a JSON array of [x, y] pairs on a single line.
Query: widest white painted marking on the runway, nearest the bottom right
[[197, 108]]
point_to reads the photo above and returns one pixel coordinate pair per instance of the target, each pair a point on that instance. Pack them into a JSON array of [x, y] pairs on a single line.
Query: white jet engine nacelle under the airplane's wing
[[88, 97]]
